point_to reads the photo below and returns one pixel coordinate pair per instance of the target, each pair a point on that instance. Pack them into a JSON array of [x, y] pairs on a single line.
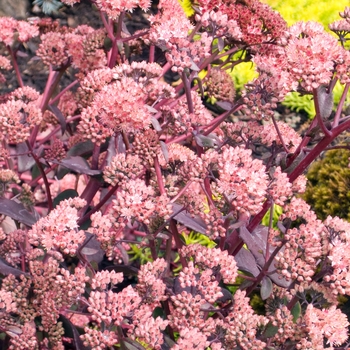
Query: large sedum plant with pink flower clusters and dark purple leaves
[[119, 163]]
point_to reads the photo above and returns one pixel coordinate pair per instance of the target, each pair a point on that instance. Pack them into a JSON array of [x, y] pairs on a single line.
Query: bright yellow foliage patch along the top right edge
[[324, 11]]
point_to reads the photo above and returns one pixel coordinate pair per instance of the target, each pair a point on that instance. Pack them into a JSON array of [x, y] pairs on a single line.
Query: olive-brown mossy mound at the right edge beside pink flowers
[[328, 190]]
